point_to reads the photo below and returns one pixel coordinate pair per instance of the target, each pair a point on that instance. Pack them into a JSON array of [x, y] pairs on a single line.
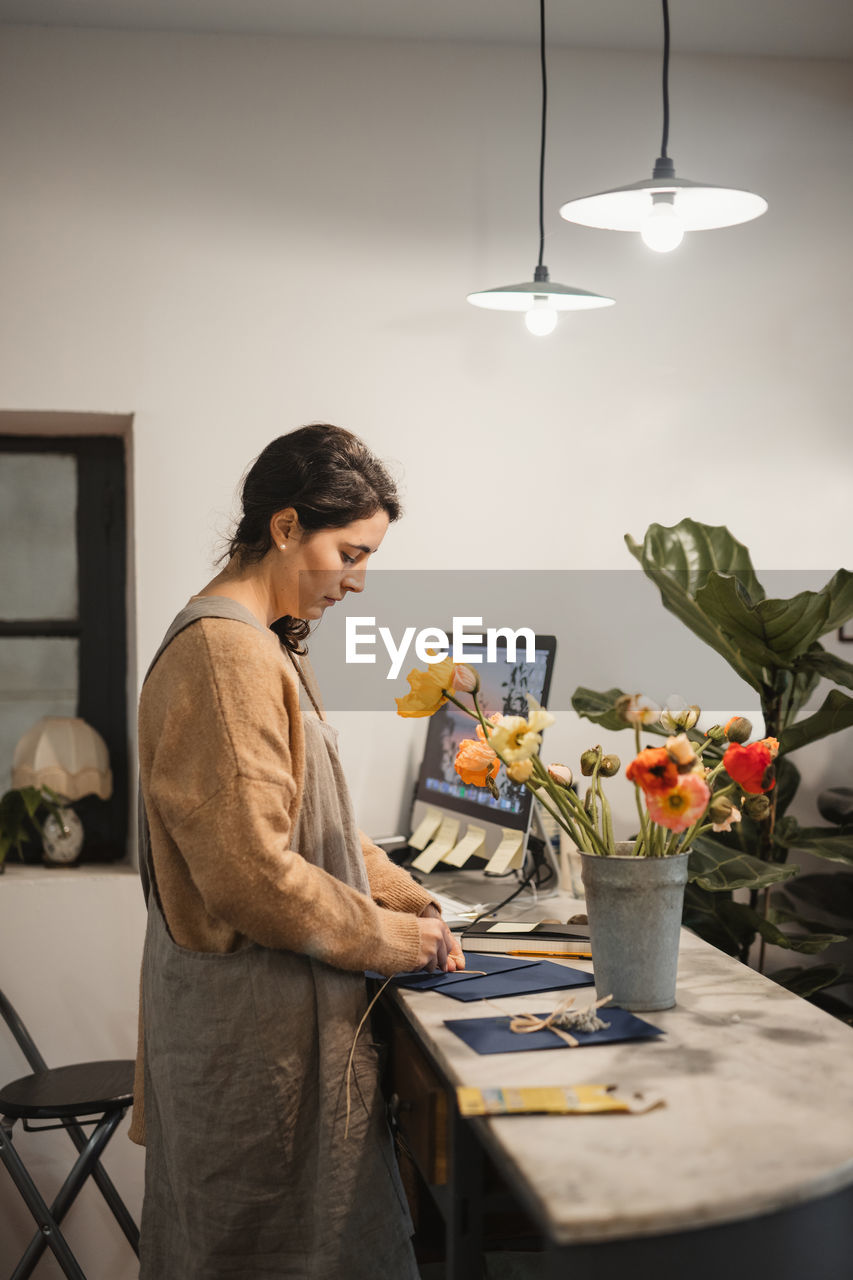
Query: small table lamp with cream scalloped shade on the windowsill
[[67, 755]]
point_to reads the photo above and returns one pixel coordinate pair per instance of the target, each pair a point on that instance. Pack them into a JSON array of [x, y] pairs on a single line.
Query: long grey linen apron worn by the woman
[[248, 1171]]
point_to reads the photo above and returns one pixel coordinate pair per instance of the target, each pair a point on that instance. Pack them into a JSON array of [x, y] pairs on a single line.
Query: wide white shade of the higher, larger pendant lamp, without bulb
[[700, 205]]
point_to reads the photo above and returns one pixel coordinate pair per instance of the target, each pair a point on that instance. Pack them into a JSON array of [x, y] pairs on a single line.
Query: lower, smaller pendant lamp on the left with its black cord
[[541, 299]]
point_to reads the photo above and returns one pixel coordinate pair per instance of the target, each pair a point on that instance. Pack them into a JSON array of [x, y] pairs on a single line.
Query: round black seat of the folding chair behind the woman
[[84, 1089]]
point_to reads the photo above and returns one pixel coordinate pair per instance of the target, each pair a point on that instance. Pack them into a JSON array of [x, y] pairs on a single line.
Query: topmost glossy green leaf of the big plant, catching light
[[679, 561]]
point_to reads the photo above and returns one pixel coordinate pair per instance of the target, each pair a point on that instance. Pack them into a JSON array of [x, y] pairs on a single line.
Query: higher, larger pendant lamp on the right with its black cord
[[663, 208]]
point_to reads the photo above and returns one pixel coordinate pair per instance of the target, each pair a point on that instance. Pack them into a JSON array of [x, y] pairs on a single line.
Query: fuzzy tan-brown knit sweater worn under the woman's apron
[[222, 765]]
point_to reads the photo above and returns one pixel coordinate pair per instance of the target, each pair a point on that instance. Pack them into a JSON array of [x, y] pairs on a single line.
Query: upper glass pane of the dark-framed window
[[38, 537]]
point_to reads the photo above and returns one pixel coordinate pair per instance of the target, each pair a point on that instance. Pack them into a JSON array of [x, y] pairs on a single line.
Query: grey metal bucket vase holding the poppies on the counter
[[635, 908]]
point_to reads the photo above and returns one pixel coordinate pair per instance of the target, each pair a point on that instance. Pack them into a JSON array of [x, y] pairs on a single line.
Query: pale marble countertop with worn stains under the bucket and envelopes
[[759, 1117]]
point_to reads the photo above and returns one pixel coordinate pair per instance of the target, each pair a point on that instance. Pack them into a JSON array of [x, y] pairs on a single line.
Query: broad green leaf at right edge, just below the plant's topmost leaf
[[773, 633]]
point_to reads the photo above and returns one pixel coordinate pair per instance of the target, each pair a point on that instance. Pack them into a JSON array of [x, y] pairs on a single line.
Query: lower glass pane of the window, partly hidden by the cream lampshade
[[38, 678]]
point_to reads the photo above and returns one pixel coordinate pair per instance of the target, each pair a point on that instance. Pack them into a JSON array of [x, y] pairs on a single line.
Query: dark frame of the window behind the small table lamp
[[102, 620]]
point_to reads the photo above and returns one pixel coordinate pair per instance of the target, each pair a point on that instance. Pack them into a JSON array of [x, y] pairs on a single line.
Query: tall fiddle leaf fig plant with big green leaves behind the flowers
[[708, 580]]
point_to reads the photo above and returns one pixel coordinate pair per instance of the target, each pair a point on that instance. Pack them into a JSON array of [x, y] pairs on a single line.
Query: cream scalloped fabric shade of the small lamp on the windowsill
[[67, 755]]
